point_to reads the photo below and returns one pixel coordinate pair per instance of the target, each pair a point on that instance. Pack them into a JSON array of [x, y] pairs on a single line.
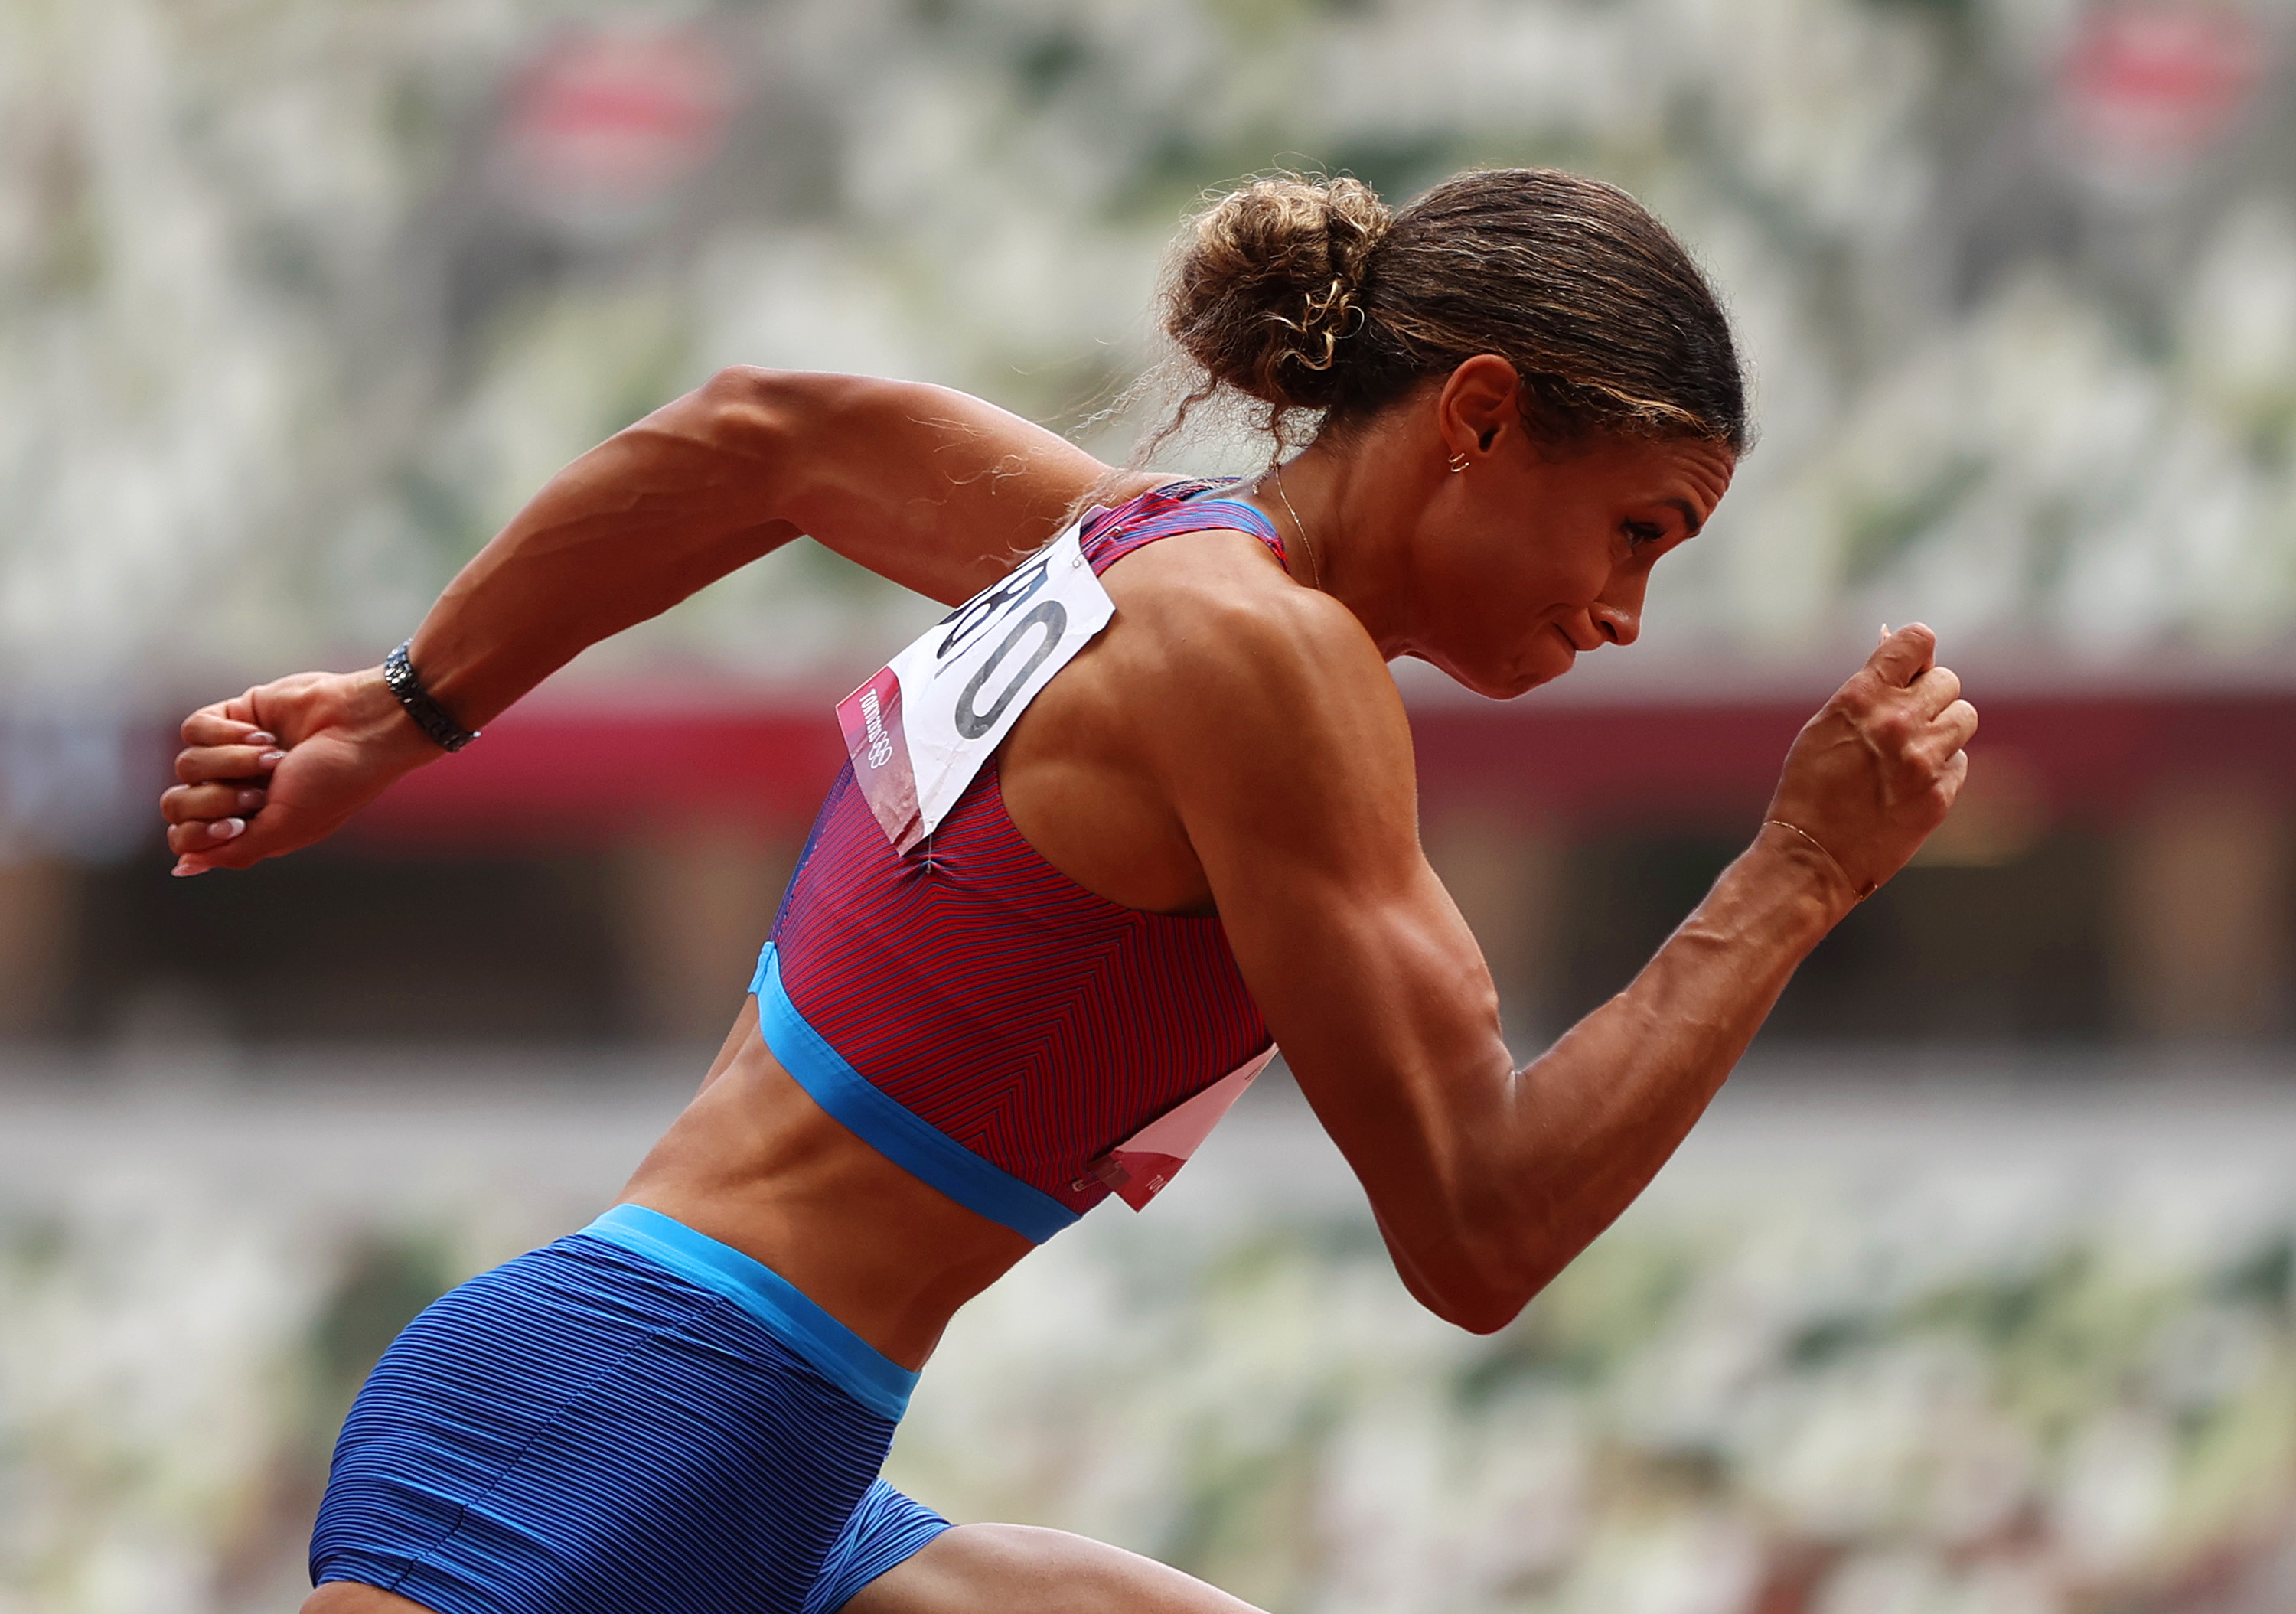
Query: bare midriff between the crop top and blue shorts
[[754, 1163]]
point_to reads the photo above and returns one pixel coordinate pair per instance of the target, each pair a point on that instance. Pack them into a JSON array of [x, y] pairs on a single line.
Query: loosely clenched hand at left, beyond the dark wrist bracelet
[[286, 766]]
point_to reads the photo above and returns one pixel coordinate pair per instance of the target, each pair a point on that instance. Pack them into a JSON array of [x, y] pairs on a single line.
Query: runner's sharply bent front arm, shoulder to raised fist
[[1291, 768]]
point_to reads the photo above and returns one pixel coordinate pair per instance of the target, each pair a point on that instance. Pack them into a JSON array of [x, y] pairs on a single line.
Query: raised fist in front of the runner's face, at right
[[1882, 763]]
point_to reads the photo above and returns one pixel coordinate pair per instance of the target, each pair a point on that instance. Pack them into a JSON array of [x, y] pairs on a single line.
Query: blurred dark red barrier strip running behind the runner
[[573, 777]]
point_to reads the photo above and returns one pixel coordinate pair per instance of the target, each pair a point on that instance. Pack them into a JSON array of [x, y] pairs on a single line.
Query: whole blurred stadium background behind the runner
[[1978, 1294]]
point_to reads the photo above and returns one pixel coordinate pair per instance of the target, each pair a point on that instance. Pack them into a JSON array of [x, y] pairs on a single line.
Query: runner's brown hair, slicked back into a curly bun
[[1310, 295]]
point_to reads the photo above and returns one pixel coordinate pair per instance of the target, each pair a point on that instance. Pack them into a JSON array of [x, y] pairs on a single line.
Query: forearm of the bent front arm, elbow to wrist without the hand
[[1590, 1124]]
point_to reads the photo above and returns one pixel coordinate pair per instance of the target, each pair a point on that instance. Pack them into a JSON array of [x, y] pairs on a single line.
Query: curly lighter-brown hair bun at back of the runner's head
[[1271, 286]]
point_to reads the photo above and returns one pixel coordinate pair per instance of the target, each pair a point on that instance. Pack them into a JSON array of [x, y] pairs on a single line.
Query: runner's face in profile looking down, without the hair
[[1544, 557]]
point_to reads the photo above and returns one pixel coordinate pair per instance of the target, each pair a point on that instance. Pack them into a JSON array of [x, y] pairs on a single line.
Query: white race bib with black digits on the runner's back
[[936, 715]]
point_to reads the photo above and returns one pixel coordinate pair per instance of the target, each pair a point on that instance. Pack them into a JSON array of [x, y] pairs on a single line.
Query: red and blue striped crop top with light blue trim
[[970, 1011]]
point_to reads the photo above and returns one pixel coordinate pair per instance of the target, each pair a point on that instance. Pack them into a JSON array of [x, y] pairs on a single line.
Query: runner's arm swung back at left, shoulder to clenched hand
[[924, 486]]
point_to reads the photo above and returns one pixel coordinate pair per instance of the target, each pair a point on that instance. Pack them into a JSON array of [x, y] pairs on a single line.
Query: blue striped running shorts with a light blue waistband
[[633, 1420]]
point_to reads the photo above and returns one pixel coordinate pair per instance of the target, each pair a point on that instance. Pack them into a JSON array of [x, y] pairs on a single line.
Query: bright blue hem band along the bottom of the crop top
[[897, 1133]]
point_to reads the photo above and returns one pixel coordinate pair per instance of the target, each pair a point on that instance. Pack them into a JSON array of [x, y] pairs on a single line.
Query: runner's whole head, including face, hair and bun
[[1530, 352]]
